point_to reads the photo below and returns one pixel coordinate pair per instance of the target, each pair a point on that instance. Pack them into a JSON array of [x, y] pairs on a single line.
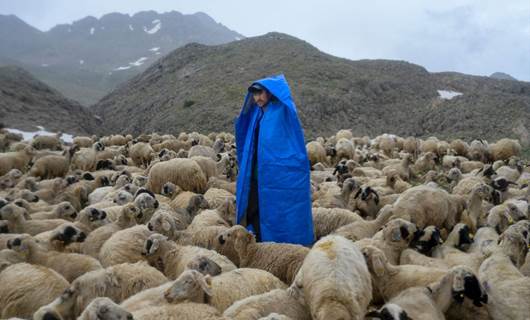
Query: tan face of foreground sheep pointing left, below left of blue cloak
[[191, 285]]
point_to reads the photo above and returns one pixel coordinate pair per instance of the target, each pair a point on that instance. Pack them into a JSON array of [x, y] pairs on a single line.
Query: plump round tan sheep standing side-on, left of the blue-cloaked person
[[186, 173]]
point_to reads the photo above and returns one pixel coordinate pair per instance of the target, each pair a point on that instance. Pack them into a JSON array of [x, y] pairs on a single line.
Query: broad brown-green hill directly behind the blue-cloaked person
[[199, 87]]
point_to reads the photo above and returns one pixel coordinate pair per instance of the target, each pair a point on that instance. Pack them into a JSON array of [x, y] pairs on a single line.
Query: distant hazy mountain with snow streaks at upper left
[[88, 58]]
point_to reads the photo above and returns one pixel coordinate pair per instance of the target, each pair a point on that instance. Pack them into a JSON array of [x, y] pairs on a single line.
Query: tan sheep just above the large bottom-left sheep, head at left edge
[[69, 265]]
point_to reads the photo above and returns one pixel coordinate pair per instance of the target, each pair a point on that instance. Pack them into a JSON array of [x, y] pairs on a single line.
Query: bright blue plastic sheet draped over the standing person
[[283, 167]]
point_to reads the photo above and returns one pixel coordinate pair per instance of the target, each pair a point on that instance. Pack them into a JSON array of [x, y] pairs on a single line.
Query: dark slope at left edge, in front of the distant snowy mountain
[[26, 103]]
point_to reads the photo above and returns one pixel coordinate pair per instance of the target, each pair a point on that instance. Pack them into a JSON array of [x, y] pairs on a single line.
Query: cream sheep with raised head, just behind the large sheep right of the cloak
[[361, 229]]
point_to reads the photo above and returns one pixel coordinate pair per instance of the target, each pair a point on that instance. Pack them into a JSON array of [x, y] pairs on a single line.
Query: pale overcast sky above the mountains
[[476, 37]]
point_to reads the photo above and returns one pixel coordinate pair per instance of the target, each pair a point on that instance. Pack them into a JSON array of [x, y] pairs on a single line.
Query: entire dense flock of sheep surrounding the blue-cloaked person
[[123, 227]]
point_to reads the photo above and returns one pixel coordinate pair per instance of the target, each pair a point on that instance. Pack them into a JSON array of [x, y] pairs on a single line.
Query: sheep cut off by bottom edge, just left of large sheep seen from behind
[[288, 302]]
